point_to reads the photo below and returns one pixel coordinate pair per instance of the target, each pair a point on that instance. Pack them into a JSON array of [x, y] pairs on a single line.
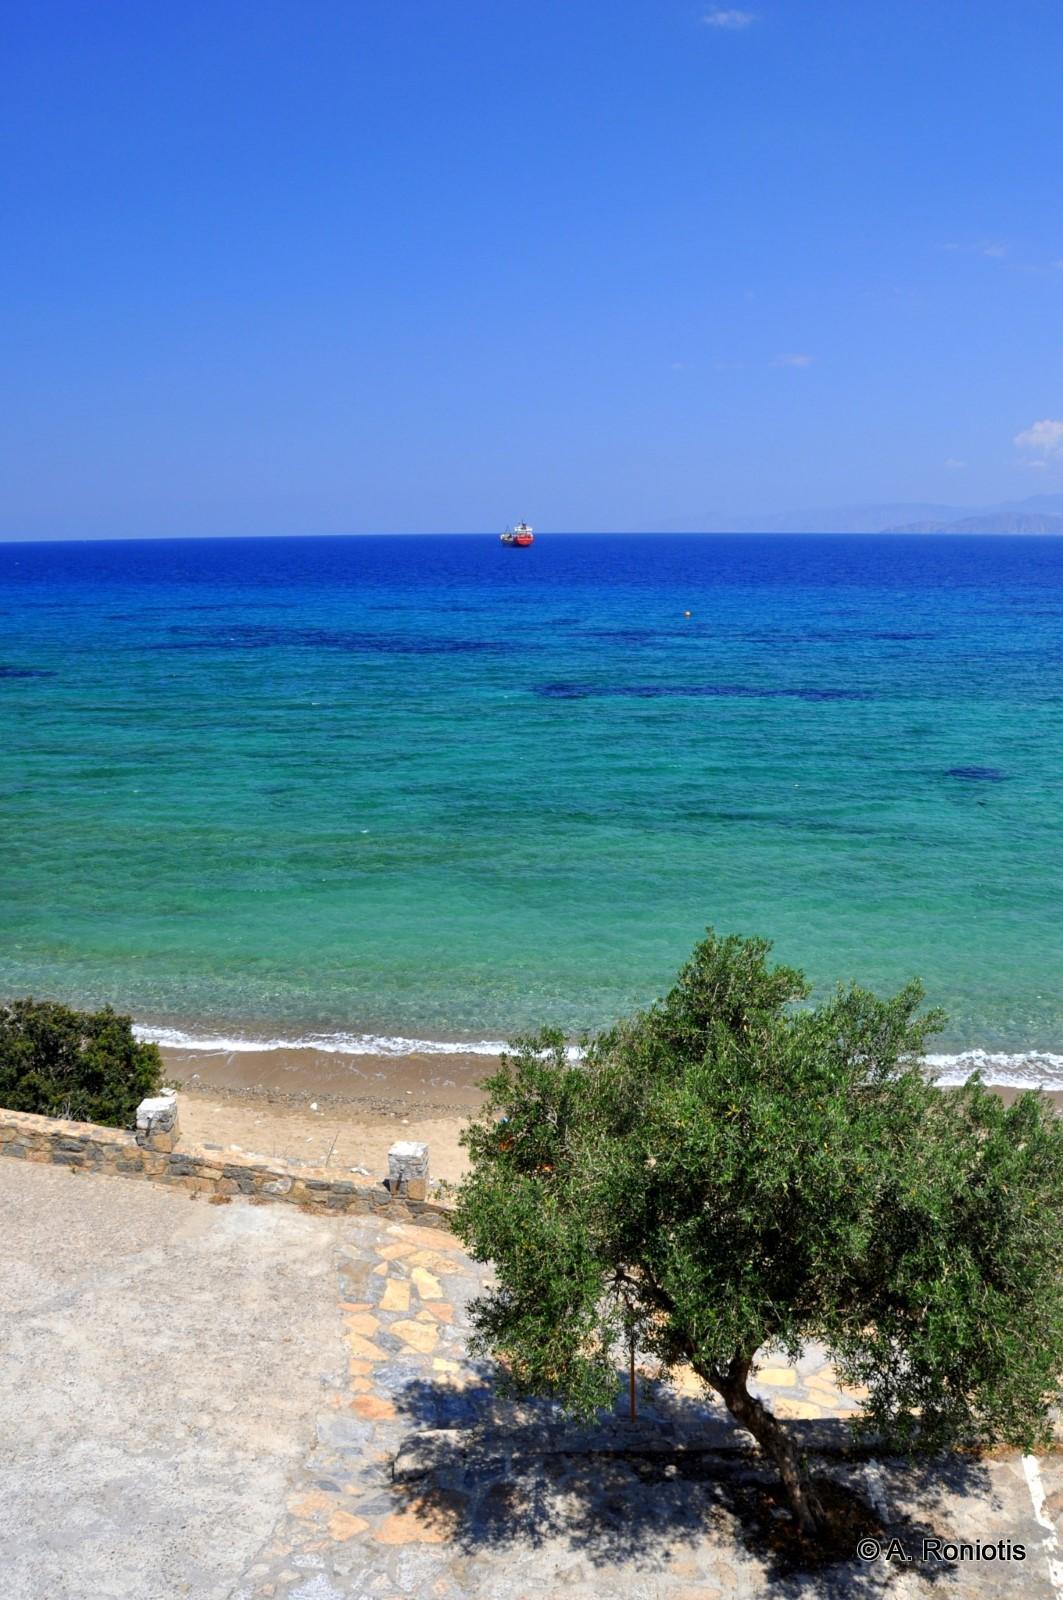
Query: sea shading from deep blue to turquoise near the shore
[[420, 794]]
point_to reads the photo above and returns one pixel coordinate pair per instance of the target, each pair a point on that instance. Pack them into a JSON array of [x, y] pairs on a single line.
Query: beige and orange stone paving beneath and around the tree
[[423, 1484]]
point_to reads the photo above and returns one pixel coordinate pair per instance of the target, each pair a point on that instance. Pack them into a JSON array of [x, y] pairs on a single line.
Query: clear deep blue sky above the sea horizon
[[395, 265]]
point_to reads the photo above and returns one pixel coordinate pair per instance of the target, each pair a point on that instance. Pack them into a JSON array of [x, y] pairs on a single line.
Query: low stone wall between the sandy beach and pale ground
[[87, 1148]]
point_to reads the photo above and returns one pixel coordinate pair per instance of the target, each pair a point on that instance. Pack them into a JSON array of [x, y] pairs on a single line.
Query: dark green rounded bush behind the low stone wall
[[81, 1065]]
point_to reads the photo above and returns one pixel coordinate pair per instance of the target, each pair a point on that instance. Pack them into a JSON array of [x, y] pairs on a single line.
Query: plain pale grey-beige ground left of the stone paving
[[162, 1372]]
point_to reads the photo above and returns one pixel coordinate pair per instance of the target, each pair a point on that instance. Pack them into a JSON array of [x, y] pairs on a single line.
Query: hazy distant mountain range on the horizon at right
[[1037, 514]]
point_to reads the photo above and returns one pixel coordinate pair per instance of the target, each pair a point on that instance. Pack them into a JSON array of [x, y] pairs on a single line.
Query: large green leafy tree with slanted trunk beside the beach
[[731, 1174]]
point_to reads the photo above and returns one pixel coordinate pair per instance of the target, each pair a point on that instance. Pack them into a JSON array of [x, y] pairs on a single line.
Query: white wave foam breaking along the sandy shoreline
[[1030, 1070]]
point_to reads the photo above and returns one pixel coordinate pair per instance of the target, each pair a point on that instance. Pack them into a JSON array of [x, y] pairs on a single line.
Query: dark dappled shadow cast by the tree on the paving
[[681, 1482]]
